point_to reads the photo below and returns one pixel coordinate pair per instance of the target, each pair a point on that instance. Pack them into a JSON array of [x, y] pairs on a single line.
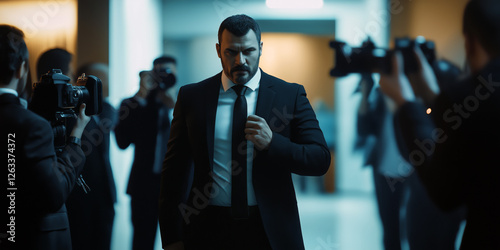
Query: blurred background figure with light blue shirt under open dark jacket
[[376, 141]]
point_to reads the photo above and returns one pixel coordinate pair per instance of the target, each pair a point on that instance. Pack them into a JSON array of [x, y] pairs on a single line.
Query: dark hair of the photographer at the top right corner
[[482, 21]]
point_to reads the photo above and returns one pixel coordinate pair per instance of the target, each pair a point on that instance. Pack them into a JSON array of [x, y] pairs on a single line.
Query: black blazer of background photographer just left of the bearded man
[[138, 124]]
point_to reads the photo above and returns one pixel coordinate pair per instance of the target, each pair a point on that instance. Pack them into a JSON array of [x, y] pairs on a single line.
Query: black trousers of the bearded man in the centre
[[215, 229]]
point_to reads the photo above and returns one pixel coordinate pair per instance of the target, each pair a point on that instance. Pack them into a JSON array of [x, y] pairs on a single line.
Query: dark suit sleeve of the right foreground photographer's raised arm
[[431, 148]]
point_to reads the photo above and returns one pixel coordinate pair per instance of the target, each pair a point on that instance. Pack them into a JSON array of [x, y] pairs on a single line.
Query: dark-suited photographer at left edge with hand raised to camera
[[37, 181]]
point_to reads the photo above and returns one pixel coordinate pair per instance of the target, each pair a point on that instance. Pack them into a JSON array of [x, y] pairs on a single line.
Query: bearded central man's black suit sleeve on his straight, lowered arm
[[174, 176]]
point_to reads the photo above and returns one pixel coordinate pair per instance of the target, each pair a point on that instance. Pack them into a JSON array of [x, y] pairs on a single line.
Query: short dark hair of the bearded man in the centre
[[239, 25]]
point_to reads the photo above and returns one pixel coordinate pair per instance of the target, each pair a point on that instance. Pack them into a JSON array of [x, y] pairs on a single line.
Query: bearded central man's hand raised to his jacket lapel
[[258, 132]]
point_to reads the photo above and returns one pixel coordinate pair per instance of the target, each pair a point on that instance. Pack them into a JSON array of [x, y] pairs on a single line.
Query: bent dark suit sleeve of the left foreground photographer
[[53, 176]]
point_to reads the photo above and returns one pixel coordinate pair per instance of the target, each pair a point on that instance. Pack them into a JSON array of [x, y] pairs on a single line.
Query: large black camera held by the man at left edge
[[55, 99]]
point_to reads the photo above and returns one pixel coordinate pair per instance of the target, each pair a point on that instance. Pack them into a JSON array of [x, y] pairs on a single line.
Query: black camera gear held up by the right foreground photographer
[[369, 59]]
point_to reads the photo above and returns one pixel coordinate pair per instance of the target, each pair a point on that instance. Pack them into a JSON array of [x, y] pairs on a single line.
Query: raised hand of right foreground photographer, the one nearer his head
[[424, 82]]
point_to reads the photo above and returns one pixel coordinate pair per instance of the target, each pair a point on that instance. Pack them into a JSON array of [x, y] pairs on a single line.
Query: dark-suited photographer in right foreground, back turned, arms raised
[[455, 148]]
